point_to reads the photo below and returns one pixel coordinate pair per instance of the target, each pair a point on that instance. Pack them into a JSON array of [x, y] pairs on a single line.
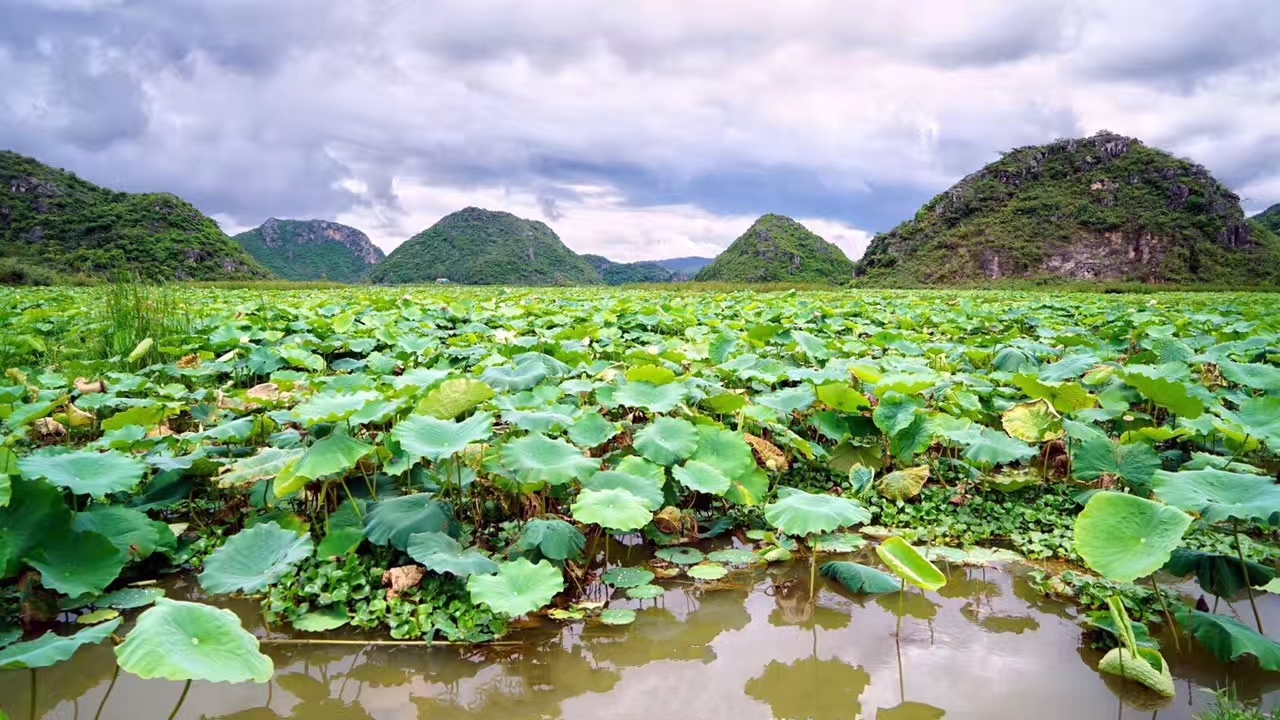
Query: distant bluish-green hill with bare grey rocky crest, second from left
[[312, 250]]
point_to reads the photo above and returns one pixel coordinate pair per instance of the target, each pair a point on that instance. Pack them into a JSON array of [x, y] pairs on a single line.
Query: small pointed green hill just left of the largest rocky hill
[[778, 249]]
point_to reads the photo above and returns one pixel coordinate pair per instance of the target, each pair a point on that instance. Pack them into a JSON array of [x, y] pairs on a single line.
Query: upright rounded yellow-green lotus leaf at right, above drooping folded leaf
[[1124, 537]]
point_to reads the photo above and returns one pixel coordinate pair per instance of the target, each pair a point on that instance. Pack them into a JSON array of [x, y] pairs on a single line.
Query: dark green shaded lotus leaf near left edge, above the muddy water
[[77, 564]]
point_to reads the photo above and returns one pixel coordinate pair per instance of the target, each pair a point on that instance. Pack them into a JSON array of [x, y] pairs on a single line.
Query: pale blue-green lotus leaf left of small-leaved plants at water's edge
[[254, 559]]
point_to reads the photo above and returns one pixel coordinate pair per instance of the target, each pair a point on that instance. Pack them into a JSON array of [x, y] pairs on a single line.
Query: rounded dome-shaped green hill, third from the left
[[476, 247]]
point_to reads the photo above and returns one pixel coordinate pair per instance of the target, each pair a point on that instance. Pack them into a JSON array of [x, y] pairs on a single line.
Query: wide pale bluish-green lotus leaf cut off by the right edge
[[1218, 495]]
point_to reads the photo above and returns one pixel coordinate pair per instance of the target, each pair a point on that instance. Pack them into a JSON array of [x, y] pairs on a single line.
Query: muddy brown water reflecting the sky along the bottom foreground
[[986, 648]]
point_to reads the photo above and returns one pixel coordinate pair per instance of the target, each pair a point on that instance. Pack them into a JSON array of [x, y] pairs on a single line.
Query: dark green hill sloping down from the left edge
[[54, 221]]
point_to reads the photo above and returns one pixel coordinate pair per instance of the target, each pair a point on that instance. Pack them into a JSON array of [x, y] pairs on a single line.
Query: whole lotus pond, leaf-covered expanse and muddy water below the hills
[[568, 503]]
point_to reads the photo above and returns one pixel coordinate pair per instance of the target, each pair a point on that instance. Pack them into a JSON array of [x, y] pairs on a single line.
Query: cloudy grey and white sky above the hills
[[637, 129]]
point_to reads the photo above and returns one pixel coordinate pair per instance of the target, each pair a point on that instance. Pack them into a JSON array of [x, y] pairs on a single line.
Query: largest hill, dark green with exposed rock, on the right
[[1103, 208]]
